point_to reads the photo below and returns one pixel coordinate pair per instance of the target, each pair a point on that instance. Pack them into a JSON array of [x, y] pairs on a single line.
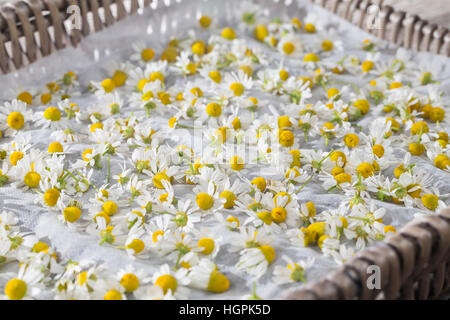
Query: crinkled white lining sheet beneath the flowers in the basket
[[159, 23]]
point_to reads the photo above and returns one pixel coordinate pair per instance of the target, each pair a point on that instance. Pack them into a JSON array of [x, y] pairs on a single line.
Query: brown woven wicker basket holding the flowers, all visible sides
[[414, 264]]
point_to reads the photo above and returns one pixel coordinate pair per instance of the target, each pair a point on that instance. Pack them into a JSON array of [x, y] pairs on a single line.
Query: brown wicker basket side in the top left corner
[[40, 25]]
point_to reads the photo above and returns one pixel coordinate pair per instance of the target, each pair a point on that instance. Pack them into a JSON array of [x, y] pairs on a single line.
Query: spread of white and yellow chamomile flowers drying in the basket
[[225, 143]]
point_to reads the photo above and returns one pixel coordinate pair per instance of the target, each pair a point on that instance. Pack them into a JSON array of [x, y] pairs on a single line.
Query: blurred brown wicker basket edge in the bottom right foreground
[[414, 264]]
